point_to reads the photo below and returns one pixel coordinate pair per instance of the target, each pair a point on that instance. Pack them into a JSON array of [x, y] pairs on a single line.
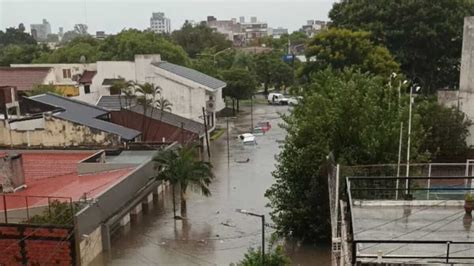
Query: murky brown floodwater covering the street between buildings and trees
[[215, 233]]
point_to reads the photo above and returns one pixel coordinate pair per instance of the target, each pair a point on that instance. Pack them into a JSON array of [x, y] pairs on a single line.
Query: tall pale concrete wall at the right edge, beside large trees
[[466, 83]]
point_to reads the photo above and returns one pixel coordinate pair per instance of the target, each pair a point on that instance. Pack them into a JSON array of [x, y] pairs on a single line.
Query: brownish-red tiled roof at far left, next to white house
[[24, 78]]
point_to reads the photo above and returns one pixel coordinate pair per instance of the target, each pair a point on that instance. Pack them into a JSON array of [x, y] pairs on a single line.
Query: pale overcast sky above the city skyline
[[113, 16]]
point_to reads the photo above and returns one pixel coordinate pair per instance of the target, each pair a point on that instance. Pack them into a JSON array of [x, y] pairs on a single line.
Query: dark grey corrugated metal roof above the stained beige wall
[[85, 114]]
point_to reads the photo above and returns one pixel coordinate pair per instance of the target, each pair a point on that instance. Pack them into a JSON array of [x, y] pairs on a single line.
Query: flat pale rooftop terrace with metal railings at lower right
[[389, 227]]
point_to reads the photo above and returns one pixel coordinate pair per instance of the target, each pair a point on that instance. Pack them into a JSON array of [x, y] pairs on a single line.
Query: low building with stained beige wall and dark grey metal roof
[[49, 120]]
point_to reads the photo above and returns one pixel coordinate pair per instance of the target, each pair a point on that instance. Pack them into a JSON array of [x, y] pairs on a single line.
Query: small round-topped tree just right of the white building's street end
[[241, 85]]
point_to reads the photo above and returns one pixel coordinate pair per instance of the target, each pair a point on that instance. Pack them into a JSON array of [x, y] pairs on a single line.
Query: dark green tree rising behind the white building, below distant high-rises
[[195, 39]]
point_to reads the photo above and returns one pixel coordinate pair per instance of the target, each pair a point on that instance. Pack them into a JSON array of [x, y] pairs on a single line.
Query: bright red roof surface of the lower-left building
[[55, 174]]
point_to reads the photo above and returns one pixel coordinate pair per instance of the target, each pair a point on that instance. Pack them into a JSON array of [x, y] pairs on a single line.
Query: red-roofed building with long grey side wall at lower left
[[107, 189]]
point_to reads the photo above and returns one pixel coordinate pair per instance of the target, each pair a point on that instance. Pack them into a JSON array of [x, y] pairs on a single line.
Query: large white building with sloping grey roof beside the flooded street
[[188, 90]]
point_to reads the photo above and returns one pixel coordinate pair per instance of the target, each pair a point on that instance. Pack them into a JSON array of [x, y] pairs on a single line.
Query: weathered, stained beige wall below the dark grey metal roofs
[[56, 133]]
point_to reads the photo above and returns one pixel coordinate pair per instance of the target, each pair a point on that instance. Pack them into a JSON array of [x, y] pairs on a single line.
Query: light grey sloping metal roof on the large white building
[[191, 74]]
